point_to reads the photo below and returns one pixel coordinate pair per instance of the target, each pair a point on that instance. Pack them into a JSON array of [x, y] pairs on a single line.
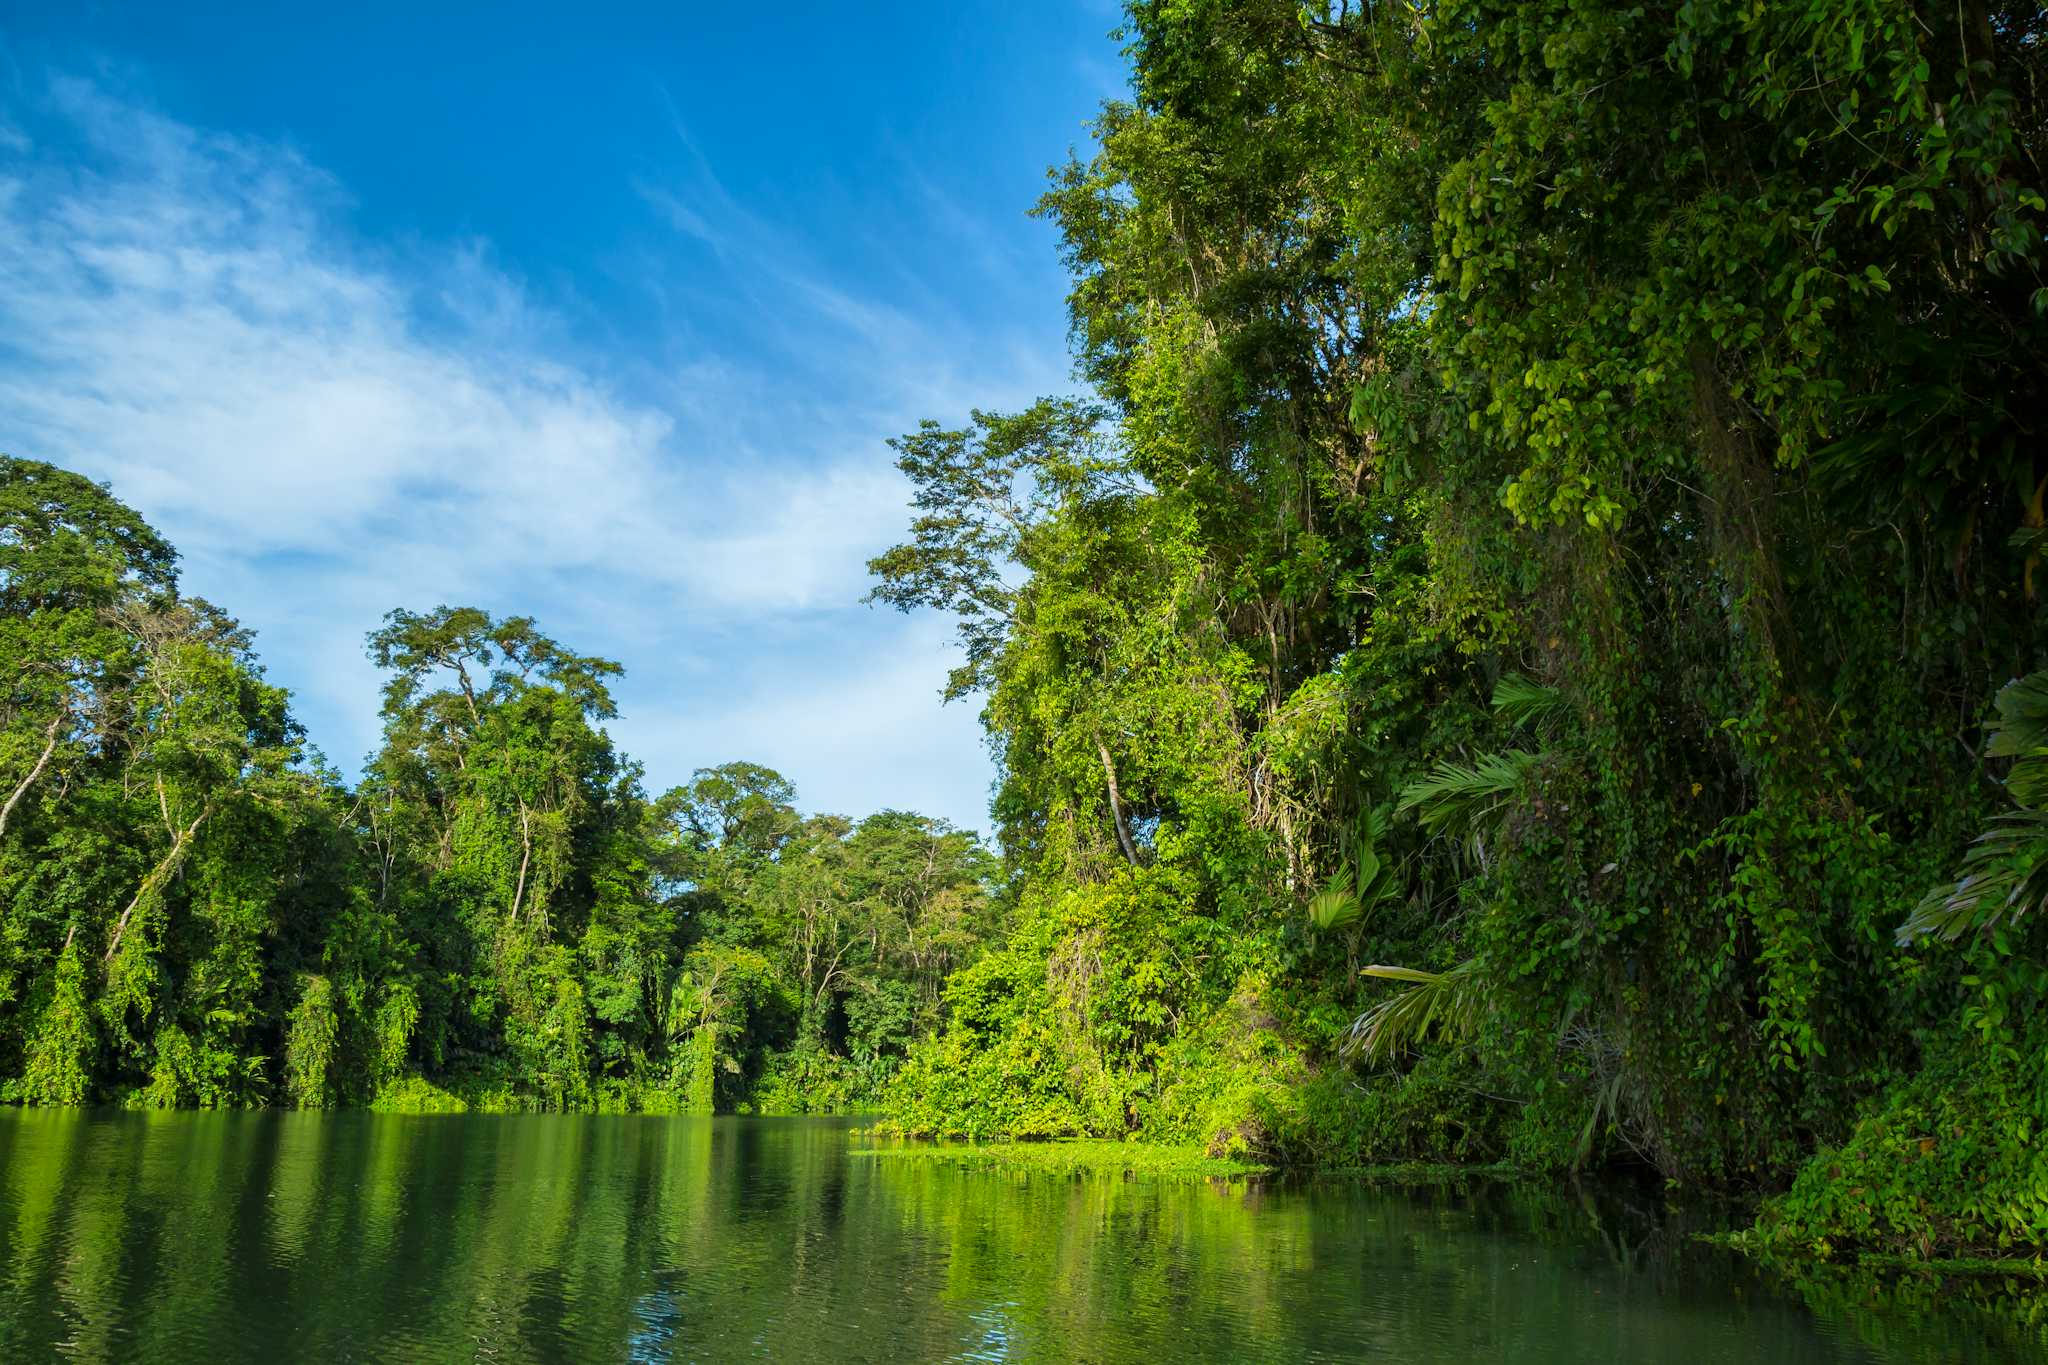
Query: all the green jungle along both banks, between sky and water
[[1527, 650]]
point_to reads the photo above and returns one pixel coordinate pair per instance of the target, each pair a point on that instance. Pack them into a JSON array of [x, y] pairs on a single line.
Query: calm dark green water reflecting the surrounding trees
[[675, 1239]]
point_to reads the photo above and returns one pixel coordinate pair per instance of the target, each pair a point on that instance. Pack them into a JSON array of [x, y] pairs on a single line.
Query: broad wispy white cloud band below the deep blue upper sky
[[333, 427]]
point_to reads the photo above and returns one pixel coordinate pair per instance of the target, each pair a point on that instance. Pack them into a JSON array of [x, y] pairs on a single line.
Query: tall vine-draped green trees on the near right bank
[[1508, 654]]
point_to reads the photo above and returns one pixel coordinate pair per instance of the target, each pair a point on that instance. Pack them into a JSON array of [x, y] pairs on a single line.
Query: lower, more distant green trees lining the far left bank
[[196, 912]]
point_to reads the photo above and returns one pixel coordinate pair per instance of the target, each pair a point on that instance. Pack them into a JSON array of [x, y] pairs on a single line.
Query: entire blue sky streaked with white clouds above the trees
[[593, 314]]
